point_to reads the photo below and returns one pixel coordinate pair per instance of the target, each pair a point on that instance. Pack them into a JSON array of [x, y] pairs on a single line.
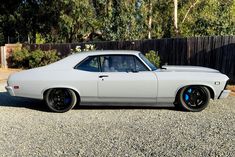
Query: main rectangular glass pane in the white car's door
[[117, 63]]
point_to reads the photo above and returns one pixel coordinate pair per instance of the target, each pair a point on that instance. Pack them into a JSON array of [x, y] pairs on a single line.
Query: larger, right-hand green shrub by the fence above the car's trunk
[[40, 58]]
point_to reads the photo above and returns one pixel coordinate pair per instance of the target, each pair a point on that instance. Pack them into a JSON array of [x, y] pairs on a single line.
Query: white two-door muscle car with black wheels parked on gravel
[[116, 77]]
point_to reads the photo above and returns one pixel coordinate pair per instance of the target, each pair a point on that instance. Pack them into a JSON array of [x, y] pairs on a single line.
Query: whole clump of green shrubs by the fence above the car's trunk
[[25, 59]]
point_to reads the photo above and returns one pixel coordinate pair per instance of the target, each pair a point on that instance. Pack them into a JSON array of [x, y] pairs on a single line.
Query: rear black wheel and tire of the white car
[[60, 99]]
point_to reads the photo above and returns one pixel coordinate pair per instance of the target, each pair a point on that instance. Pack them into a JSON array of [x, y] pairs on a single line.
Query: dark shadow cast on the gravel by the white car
[[8, 101]]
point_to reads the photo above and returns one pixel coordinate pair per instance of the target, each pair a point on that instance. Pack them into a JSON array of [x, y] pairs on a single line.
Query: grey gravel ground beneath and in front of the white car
[[27, 129]]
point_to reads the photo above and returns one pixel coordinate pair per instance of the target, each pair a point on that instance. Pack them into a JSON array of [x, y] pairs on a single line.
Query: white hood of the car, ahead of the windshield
[[188, 69]]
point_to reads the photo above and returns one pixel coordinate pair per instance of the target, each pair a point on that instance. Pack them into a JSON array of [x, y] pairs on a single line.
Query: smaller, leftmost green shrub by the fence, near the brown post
[[19, 58]]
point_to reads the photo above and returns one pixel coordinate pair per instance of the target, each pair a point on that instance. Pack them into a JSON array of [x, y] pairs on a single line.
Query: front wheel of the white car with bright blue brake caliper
[[194, 98]]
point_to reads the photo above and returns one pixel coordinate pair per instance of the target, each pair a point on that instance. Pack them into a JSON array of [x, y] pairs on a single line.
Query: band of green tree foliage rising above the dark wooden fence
[[89, 20]]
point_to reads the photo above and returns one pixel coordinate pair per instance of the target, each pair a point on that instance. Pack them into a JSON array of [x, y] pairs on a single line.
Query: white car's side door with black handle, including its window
[[124, 78]]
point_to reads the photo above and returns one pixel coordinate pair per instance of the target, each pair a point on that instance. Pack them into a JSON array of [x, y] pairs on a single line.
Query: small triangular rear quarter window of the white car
[[89, 64]]
